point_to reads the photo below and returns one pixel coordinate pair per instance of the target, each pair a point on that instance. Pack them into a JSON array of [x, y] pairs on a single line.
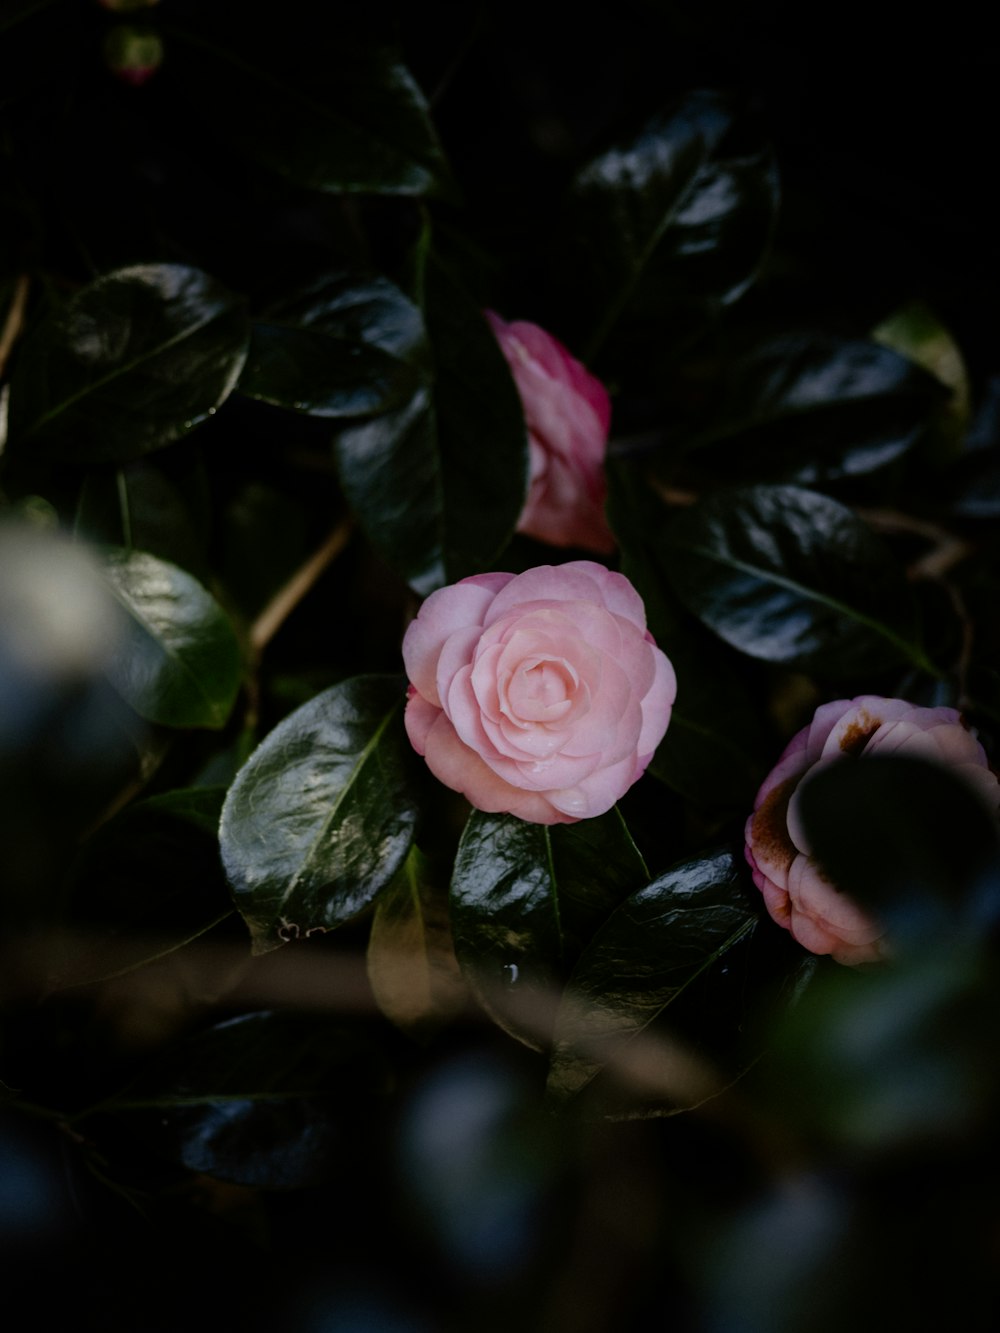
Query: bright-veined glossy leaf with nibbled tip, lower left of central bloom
[[322, 816]]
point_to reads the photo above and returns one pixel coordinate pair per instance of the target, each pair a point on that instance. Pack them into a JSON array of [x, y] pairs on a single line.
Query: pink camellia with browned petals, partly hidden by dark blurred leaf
[[797, 894]]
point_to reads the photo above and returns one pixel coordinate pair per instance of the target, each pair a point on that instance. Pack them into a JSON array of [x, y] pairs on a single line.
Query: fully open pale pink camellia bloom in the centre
[[542, 695]]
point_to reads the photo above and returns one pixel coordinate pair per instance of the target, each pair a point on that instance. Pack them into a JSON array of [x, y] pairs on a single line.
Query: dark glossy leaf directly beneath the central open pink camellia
[[525, 900]]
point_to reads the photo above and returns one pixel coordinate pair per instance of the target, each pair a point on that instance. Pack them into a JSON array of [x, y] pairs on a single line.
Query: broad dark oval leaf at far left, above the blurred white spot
[[129, 365]]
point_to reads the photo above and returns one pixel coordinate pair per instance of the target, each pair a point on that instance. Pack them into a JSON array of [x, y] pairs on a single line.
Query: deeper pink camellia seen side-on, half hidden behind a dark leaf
[[567, 413]]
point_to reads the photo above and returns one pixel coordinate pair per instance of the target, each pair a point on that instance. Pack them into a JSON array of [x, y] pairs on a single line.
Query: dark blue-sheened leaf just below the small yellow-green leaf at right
[[814, 407]]
